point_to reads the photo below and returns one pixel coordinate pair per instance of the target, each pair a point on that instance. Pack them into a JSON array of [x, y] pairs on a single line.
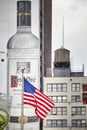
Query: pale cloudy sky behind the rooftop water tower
[[75, 30]]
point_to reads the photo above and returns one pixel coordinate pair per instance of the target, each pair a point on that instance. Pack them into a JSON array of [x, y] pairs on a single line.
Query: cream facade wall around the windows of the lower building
[[69, 104]]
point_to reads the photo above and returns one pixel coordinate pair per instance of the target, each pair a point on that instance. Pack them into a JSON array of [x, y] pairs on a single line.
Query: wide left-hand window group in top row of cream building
[[62, 87]]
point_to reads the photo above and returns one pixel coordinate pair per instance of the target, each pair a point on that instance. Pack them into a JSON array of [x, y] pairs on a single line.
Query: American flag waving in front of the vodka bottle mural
[[35, 98]]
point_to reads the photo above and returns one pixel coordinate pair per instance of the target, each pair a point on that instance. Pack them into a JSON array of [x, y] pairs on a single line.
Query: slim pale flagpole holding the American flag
[[22, 105]]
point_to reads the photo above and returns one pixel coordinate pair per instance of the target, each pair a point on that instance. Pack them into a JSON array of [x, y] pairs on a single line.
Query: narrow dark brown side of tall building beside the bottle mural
[[45, 35]]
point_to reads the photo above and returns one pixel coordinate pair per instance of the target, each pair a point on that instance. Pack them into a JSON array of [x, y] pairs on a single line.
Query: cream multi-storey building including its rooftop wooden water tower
[[68, 90]]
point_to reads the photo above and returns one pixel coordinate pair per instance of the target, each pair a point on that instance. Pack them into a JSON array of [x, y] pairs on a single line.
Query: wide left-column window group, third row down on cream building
[[59, 111]]
